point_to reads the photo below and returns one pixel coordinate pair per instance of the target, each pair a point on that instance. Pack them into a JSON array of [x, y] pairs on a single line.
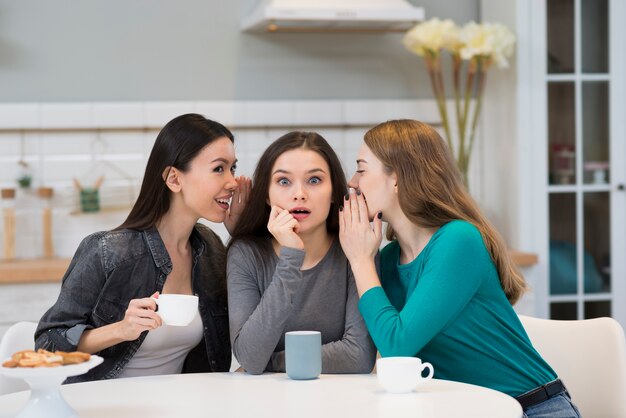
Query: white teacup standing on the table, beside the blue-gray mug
[[402, 374]]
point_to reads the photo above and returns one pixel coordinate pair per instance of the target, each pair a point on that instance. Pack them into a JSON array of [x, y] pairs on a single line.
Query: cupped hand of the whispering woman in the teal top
[[359, 239]]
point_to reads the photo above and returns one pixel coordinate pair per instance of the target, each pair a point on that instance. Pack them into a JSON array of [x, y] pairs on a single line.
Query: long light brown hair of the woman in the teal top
[[431, 192]]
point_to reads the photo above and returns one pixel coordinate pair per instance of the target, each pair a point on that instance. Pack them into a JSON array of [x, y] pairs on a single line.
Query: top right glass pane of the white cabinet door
[[595, 36]]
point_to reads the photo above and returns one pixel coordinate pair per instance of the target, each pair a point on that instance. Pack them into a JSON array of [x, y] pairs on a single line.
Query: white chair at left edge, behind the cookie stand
[[20, 336]]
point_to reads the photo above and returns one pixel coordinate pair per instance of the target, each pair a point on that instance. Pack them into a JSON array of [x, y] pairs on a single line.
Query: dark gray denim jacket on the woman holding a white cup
[[111, 268]]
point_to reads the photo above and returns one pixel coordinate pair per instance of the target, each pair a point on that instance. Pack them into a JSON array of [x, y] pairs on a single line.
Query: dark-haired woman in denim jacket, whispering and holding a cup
[[105, 307]]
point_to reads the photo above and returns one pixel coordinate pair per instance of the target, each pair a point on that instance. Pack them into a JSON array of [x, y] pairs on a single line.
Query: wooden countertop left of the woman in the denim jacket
[[38, 270]]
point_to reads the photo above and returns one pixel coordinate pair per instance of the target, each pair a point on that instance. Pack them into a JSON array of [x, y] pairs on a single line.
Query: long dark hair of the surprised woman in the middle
[[252, 223]]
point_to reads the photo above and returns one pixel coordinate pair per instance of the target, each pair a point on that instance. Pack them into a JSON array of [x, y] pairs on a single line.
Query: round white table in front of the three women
[[274, 396]]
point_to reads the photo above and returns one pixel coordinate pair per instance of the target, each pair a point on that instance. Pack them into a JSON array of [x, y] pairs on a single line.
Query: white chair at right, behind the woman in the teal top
[[589, 356]]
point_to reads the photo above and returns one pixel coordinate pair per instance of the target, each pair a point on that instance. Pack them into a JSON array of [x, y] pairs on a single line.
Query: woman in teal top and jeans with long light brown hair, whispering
[[447, 282]]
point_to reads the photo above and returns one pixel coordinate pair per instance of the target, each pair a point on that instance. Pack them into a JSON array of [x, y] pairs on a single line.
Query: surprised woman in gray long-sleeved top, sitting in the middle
[[286, 270]]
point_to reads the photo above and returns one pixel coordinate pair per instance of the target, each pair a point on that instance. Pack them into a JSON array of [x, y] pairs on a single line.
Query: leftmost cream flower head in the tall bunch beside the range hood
[[432, 36]]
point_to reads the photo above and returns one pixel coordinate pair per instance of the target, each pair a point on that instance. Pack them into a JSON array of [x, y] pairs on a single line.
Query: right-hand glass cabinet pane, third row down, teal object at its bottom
[[597, 249]]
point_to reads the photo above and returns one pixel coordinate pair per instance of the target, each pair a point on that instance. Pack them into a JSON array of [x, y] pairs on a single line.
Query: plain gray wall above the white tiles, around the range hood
[[141, 50]]
